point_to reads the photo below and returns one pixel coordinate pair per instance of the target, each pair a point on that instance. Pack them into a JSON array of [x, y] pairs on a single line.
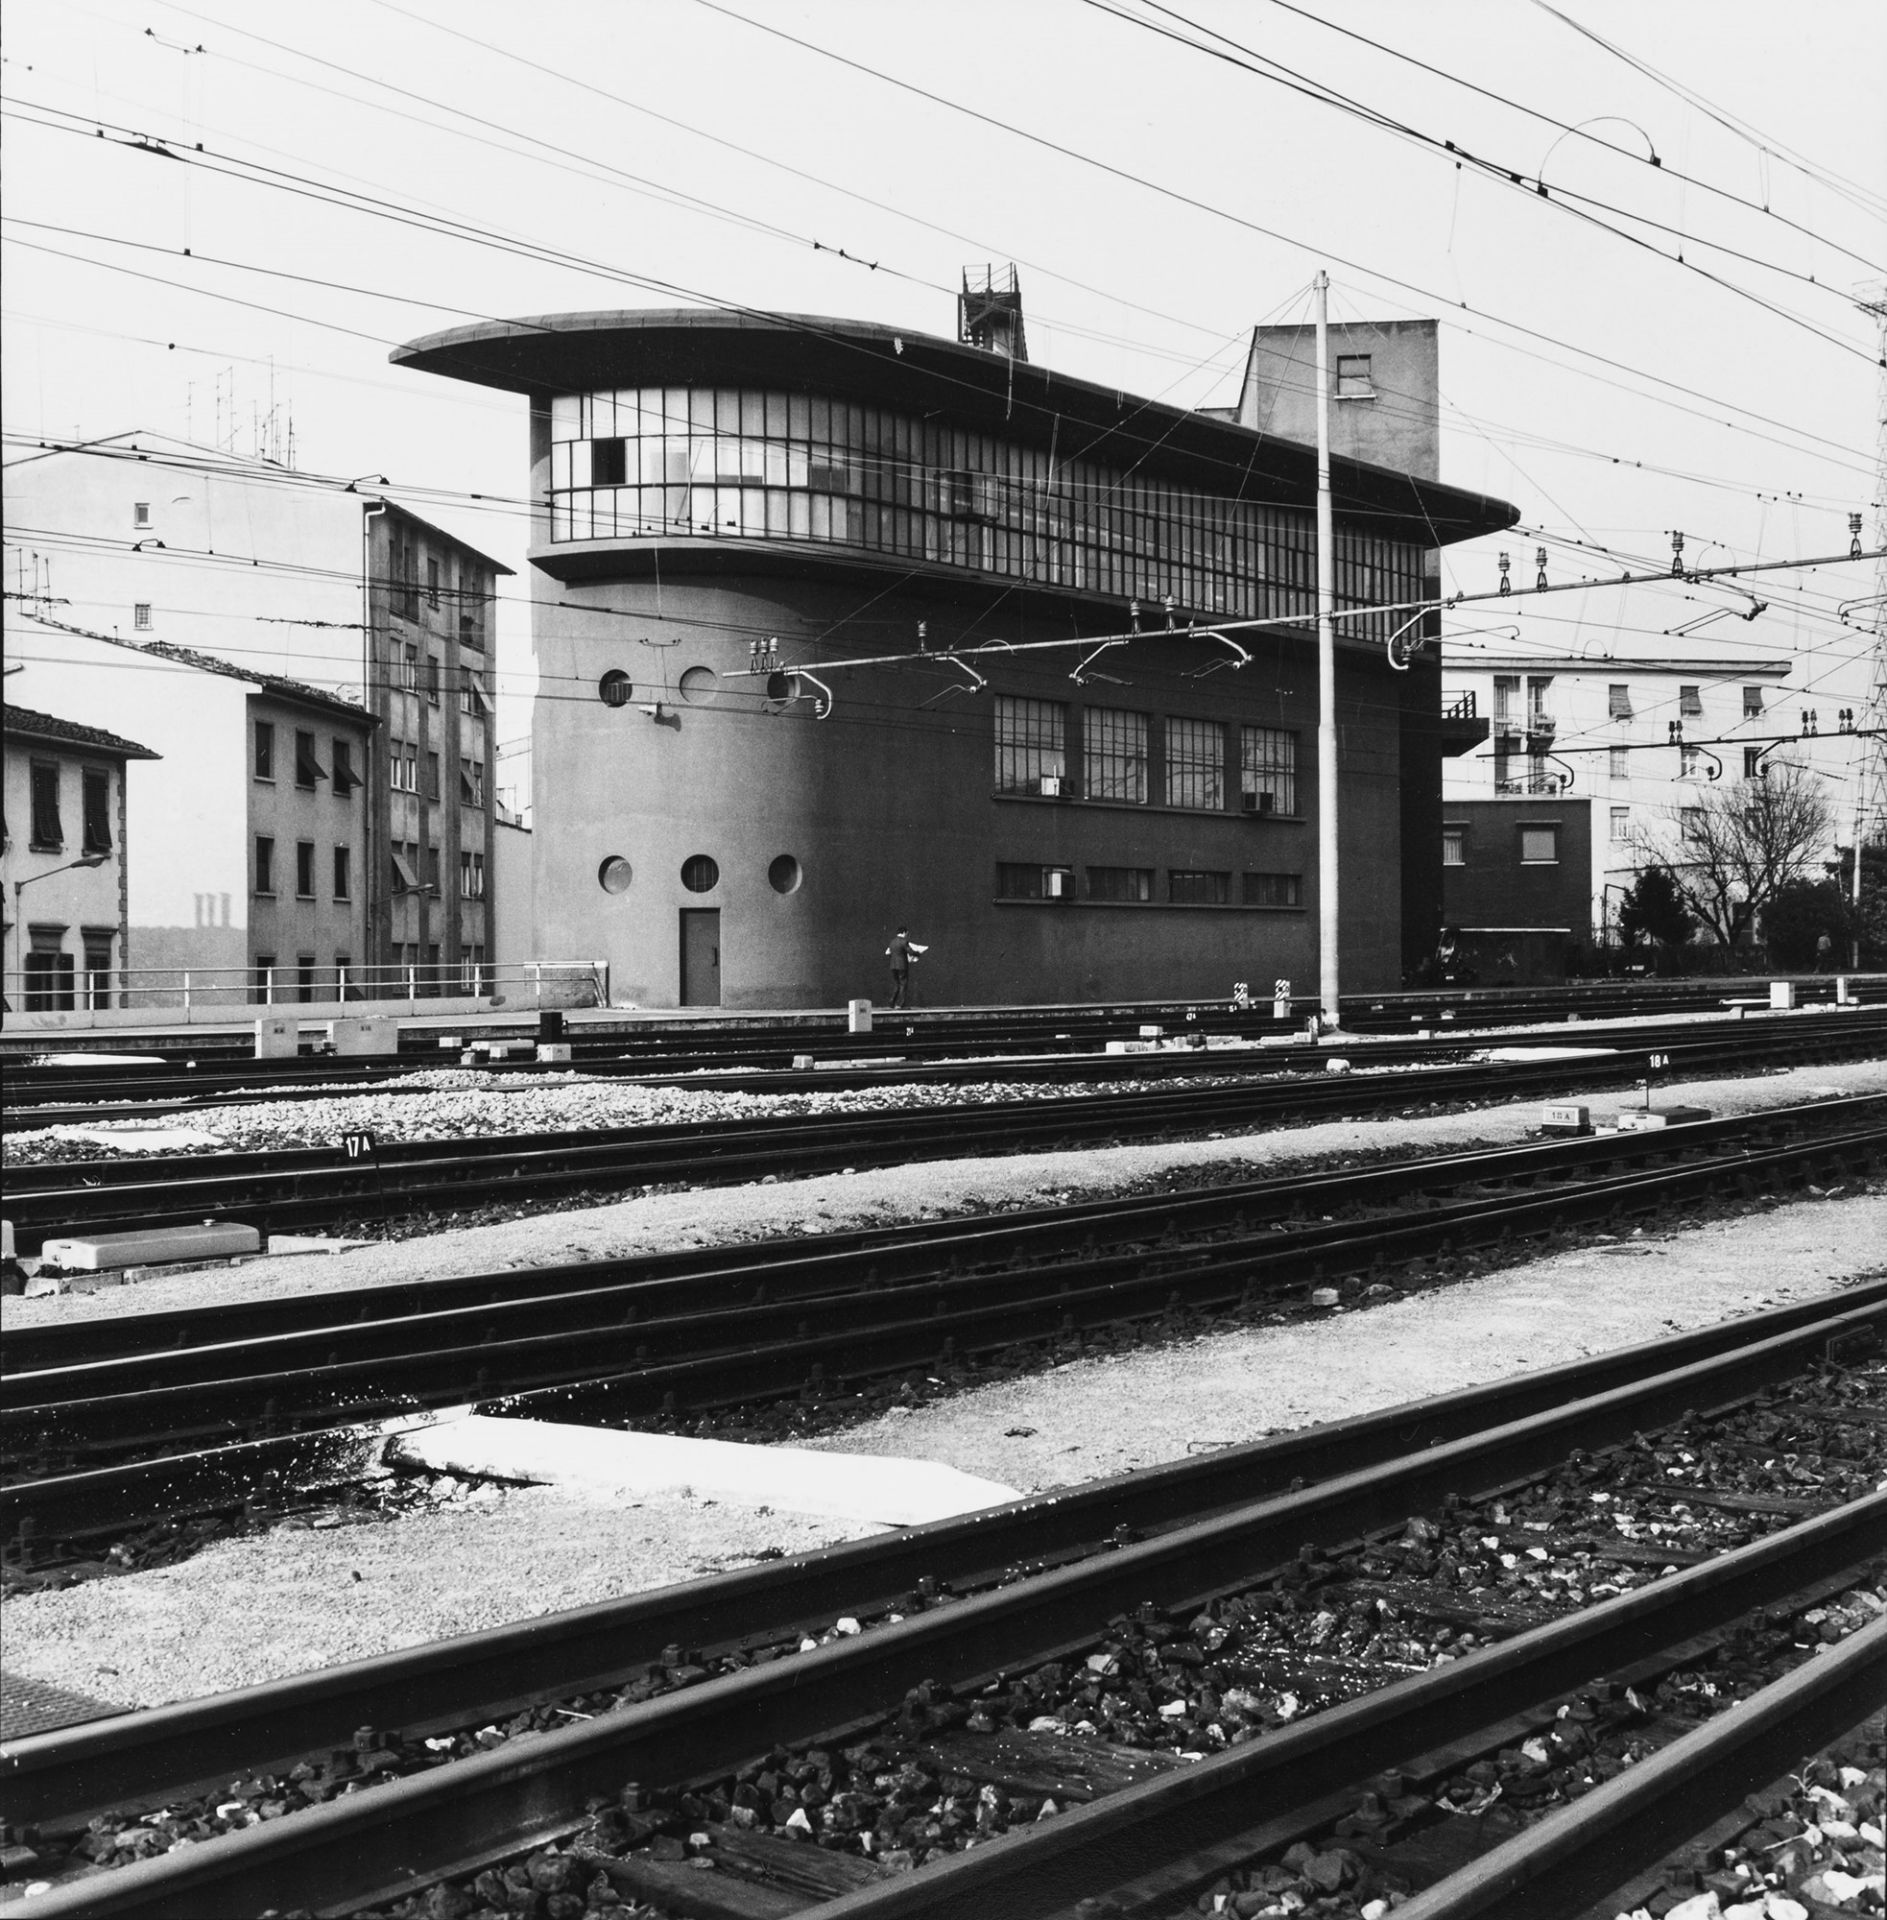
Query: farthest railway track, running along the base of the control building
[[214, 1070]]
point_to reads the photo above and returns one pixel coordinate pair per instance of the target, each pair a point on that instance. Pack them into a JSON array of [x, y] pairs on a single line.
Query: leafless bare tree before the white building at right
[[1738, 844]]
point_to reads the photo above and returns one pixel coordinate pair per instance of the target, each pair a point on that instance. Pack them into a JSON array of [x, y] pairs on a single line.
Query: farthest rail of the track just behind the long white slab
[[803, 1266]]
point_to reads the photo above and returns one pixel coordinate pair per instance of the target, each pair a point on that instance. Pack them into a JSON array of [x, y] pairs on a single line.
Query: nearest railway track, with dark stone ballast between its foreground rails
[[1208, 1669]]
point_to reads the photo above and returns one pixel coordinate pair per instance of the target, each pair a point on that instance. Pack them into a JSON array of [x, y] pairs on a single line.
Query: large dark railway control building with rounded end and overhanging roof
[[738, 800]]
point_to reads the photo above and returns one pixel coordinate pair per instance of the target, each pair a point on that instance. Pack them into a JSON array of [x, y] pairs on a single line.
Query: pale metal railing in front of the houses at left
[[226, 992]]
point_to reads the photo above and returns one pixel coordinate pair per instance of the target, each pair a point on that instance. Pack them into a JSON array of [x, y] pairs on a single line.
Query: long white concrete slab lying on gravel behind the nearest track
[[857, 1487]]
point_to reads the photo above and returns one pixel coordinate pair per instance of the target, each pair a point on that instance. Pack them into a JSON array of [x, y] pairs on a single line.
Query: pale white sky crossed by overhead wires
[[1763, 458]]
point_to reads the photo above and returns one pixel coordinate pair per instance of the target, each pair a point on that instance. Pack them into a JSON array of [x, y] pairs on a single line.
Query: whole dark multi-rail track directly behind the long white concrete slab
[[110, 1424]]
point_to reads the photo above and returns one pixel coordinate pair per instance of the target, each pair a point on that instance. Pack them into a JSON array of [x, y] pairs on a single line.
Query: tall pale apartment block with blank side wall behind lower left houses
[[318, 587]]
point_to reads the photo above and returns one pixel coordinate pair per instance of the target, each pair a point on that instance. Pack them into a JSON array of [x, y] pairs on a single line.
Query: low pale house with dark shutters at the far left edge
[[66, 861]]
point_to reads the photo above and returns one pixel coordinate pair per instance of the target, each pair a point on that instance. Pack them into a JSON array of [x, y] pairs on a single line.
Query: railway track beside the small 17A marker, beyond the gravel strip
[[323, 1189]]
